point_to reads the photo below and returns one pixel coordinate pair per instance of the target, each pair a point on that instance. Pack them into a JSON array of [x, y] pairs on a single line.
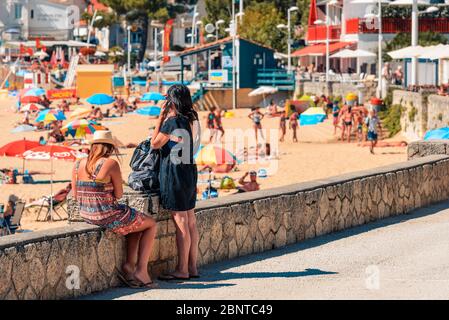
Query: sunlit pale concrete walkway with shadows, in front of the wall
[[398, 258]]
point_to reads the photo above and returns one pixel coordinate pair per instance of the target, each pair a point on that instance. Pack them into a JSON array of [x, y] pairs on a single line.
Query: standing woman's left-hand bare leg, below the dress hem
[[183, 242]]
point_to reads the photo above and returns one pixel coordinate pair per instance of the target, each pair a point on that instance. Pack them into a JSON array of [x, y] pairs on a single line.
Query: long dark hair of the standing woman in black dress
[[179, 98]]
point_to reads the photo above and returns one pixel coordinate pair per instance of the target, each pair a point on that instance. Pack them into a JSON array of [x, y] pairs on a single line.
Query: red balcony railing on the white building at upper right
[[396, 25]]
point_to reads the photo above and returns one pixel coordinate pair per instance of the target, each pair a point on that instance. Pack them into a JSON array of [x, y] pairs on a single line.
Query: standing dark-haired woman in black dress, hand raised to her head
[[174, 136]]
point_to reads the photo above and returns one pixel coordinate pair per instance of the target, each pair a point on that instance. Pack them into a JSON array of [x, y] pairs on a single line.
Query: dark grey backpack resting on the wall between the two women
[[145, 164]]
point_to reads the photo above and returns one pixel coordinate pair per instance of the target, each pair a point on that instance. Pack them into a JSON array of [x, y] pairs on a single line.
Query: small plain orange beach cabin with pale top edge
[[94, 78]]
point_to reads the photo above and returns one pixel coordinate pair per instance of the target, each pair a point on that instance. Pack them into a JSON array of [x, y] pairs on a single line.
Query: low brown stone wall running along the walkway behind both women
[[34, 265]]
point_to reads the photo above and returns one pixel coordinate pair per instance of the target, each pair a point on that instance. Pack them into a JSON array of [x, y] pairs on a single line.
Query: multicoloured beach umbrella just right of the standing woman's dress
[[219, 159]]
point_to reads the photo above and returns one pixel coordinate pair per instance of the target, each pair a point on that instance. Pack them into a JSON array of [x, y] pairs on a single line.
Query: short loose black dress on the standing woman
[[178, 174]]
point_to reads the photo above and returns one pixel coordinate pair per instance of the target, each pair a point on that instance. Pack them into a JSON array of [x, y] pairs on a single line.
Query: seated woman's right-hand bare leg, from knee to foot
[[148, 234]]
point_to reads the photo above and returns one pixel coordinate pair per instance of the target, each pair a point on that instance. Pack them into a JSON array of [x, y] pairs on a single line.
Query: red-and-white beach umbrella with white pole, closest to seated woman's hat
[[49, 153]]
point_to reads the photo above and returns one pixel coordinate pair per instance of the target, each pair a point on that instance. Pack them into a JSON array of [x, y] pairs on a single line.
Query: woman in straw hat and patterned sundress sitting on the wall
[[97, 184]]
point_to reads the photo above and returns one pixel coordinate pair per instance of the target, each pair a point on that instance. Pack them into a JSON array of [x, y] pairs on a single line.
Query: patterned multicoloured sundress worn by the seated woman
[[98, 205]]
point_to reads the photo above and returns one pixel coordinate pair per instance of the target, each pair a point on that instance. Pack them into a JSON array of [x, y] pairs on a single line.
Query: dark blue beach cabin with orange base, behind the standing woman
[[210, 66]]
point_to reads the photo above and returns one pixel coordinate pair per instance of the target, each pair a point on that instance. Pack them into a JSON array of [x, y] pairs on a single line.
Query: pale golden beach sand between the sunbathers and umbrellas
[[317, 155]]
